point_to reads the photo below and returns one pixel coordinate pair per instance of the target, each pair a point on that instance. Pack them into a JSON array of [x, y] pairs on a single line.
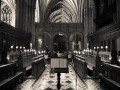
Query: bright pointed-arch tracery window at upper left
[[6, 14]]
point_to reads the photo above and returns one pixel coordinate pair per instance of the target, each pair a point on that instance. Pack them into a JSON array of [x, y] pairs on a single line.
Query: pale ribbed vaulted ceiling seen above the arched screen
[[59, 11]]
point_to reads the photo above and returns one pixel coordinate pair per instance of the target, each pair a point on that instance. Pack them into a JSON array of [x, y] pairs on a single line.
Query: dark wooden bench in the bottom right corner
[[110, 76]]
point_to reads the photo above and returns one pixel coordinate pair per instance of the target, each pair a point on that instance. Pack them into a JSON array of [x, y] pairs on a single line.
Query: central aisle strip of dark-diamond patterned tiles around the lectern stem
[[68, 81]]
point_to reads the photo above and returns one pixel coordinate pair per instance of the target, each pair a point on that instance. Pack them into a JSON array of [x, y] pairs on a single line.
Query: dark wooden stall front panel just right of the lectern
[[80, 67]]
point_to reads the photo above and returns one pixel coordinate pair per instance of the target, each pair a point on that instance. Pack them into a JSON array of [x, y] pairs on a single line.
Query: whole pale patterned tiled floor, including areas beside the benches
[[68, 82]]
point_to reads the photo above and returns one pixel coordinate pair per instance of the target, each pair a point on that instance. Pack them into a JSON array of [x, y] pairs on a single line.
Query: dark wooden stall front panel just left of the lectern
[[38, 67]]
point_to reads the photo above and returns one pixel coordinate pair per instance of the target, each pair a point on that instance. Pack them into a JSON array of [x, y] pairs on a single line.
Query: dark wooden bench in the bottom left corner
[[8, 75]]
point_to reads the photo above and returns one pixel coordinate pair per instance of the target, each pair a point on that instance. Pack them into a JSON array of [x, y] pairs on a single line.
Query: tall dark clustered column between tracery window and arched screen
[[25, 17]]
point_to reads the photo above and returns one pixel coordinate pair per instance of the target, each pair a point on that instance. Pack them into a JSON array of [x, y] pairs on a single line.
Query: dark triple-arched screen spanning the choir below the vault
[[65, 28]]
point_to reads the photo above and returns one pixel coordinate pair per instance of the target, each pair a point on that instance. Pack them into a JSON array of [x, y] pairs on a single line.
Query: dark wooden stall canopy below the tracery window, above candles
[[11, 36]]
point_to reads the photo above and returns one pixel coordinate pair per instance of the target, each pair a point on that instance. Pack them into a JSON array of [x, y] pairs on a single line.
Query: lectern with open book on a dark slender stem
[[59, 65]]
